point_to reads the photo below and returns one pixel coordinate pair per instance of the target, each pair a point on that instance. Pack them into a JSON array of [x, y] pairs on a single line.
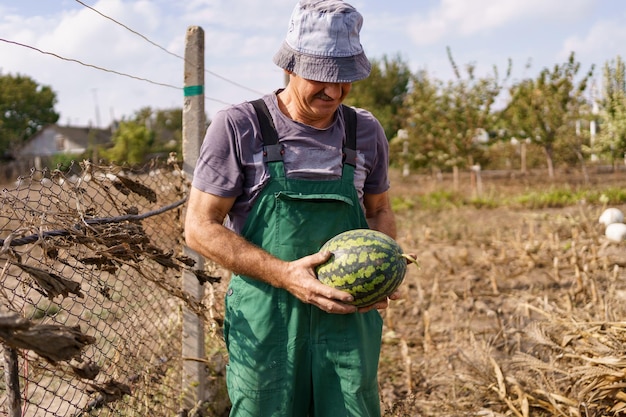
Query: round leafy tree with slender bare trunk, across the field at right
[[546, 109]]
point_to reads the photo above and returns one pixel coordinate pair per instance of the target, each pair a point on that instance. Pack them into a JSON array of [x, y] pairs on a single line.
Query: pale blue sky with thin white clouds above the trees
[[107, 59]]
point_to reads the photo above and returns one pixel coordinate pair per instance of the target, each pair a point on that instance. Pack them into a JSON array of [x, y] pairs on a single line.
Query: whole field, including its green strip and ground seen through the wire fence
[[517, 307]]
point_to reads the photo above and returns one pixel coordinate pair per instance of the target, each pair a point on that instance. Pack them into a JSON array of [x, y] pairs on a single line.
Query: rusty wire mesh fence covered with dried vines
[[90, 315]]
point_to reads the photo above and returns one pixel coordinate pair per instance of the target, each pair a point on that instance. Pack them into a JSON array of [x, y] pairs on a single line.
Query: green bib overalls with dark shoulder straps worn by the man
[[288, 358]]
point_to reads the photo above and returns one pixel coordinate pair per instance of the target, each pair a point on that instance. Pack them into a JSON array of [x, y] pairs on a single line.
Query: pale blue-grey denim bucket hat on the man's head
[[322, 43]]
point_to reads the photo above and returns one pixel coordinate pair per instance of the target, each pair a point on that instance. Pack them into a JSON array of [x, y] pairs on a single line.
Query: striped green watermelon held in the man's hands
[[366, 263]]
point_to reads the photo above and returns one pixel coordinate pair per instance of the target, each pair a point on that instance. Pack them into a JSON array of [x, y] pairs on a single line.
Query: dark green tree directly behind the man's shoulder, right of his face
[[383, 92]]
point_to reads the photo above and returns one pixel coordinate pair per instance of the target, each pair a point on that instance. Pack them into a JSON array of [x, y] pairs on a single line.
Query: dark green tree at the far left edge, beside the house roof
[[25, 107]]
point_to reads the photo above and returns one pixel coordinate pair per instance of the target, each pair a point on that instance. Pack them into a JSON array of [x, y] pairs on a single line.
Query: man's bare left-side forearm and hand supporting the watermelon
[[206, 234]]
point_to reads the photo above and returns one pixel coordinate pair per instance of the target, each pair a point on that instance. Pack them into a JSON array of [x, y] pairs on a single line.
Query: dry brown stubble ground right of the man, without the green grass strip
[[513, 312]]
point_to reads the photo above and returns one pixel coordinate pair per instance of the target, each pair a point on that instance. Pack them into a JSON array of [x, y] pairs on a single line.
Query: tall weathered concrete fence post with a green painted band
[[194, 373]]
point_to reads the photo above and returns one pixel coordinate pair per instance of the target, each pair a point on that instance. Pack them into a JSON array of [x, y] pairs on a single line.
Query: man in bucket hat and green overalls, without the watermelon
[[275, 179]]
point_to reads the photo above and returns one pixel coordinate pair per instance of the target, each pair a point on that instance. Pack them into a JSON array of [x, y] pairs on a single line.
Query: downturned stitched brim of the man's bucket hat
[[324, 69]]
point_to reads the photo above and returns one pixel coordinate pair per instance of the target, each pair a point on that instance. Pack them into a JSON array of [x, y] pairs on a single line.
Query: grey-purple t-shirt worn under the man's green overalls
[[231, 164]]
